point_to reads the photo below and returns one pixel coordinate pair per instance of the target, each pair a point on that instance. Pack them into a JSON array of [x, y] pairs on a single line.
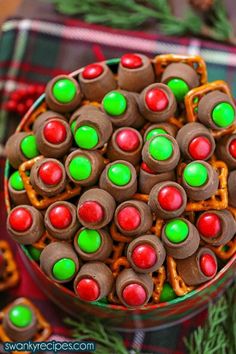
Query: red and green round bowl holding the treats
[[155, 316]]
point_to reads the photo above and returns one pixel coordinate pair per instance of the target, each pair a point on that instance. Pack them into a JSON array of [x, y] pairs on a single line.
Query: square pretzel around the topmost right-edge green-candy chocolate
[[193, 97]]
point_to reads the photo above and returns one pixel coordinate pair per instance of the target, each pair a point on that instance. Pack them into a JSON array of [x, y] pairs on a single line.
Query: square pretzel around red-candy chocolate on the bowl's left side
[[39, 202]]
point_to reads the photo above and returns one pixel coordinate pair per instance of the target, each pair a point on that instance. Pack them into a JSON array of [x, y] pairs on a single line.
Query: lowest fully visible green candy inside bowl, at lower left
[[64, 269]]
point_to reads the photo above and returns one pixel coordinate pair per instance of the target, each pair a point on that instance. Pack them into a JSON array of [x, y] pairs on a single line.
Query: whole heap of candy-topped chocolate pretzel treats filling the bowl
[[123, 183]]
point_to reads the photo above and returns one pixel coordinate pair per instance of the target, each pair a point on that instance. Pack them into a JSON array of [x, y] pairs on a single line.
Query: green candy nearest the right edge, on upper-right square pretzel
[[223, 114]]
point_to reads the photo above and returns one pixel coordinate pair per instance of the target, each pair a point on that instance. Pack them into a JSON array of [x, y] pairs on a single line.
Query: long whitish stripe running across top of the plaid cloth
[[123, 41]]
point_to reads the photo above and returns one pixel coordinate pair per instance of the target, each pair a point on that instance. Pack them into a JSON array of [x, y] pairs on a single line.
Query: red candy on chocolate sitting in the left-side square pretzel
[[50, 173]]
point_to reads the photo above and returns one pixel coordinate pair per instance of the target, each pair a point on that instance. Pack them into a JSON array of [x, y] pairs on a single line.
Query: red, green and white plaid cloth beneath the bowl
[[32, 51]]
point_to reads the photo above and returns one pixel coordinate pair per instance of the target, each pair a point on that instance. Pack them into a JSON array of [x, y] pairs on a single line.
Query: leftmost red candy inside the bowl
[[20, 219]]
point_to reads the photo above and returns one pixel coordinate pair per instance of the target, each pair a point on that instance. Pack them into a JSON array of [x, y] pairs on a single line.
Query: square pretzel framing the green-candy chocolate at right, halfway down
[[219, 200]]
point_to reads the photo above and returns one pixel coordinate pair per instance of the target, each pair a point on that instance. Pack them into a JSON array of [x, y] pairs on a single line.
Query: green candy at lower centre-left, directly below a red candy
[[89, 241]]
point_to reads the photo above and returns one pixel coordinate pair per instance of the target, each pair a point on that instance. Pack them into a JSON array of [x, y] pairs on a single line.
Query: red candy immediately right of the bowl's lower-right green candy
[[209, 225]]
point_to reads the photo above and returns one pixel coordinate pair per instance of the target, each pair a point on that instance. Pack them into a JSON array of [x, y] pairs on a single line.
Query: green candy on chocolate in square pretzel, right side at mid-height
[[195, 174]]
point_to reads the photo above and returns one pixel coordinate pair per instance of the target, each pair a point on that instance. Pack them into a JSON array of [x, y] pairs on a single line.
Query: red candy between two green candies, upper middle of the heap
[[127, 140]]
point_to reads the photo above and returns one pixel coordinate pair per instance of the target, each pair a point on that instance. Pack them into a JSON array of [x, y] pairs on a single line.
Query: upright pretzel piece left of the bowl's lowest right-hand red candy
[[177, 283]]
